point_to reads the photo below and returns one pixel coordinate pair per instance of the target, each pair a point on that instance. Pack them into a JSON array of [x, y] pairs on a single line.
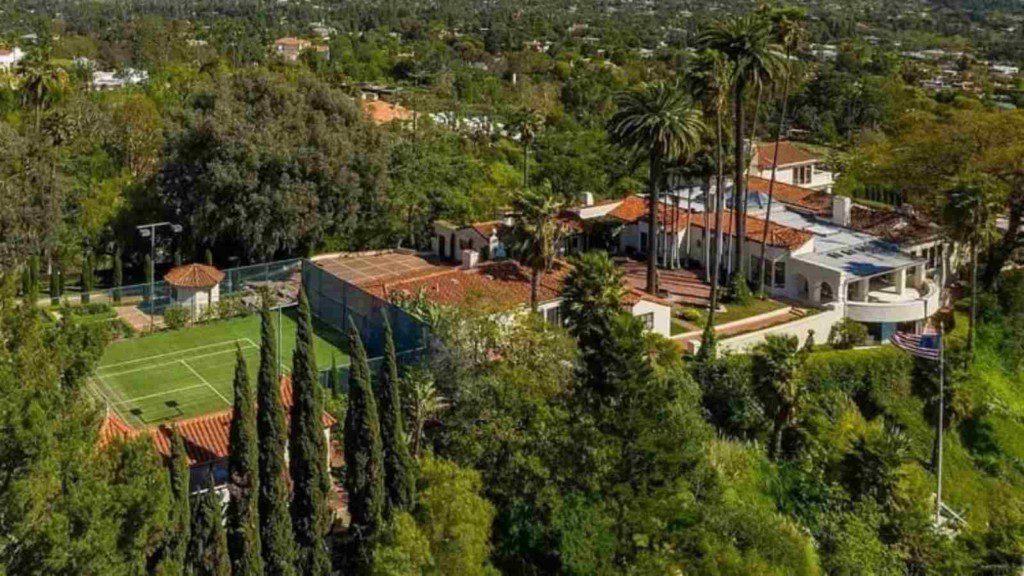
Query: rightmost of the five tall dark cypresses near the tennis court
[[399, 473]]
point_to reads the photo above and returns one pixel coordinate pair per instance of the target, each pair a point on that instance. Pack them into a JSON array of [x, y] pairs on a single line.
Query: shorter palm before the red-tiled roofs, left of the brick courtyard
[[538, 233]]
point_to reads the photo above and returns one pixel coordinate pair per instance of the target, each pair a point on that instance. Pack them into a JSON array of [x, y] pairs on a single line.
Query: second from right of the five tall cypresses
[[364, 456]]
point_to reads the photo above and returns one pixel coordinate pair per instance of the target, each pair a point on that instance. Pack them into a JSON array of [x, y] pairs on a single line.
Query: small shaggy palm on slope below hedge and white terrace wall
[[778, 384]]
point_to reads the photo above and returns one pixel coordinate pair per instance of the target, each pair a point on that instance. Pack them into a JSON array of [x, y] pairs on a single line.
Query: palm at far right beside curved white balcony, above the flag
[[973, 203]]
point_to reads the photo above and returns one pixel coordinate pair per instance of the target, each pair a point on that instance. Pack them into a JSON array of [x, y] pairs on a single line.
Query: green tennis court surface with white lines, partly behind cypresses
[[178, 375]]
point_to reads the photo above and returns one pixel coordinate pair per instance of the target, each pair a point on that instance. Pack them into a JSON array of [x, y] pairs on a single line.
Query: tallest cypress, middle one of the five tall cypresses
[[308, 451]]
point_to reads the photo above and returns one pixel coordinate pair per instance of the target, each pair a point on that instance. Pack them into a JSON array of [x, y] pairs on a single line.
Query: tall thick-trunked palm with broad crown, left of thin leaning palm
[[747, 43]]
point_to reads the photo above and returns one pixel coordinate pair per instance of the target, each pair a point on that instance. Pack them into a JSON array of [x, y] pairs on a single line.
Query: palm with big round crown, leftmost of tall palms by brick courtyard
[[660, 121]]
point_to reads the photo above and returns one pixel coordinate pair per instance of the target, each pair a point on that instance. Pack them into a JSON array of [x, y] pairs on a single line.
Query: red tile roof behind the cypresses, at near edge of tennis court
[[206, 437]]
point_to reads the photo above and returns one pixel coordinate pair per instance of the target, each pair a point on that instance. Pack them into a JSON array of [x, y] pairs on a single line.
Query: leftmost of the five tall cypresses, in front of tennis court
[[243, 513]]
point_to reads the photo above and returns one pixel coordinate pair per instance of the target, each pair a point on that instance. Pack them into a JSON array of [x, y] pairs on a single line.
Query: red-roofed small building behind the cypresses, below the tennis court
[[206, 439]]
